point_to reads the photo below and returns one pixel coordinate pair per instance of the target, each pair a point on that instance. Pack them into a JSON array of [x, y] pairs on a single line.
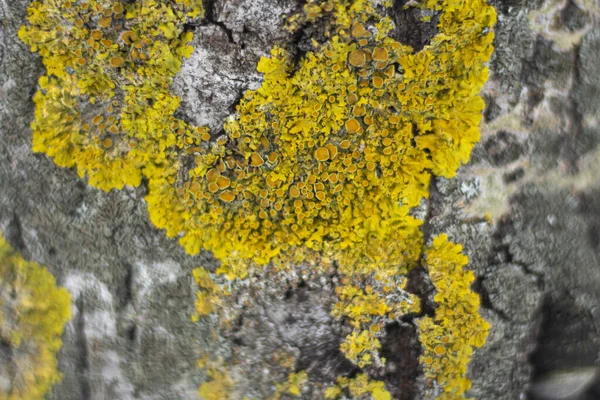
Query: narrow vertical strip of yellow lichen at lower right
[[449, 337]]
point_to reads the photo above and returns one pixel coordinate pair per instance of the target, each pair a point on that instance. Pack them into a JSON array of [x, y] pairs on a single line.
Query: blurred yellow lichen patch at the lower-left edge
[[33, 313]]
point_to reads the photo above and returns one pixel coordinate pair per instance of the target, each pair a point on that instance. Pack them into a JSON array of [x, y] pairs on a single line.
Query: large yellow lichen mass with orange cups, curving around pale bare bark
[[322, 164]]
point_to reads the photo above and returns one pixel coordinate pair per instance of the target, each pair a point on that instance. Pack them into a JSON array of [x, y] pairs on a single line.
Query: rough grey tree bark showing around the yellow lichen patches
[[535, 173]]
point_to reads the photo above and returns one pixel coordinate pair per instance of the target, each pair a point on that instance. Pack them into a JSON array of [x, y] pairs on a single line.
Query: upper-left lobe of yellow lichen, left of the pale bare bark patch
[[120, 66]]
